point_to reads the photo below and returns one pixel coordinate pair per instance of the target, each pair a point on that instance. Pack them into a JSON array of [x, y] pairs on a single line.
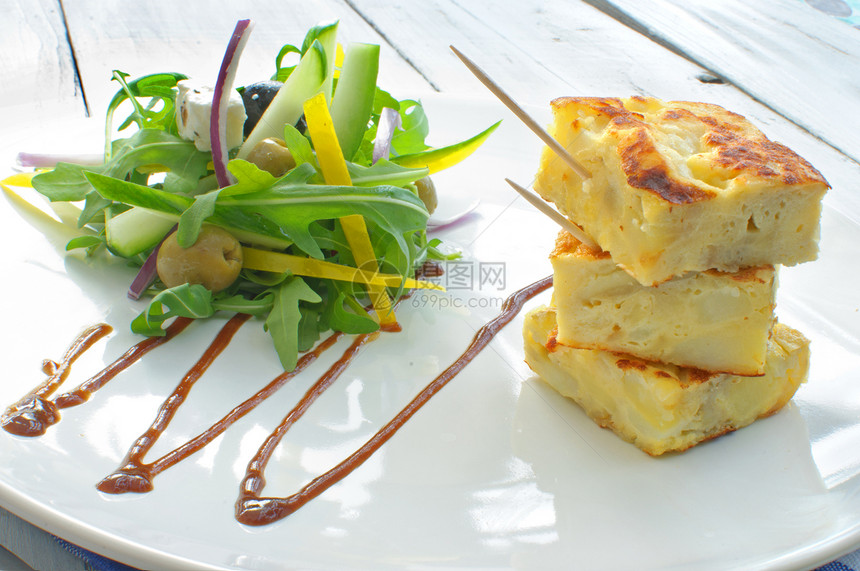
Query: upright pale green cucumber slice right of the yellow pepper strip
[[353, 99]]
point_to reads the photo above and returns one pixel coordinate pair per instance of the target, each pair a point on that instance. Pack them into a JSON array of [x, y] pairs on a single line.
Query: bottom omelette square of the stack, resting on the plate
[[663, 408]]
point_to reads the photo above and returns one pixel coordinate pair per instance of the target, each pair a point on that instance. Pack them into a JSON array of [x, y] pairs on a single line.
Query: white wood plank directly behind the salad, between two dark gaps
[[190, 37]]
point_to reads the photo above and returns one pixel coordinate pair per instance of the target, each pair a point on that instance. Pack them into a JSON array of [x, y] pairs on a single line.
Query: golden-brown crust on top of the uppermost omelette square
[[731, 142]]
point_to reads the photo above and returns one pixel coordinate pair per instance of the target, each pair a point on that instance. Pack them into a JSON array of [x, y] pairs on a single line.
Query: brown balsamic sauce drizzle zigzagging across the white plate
[[32, 415]]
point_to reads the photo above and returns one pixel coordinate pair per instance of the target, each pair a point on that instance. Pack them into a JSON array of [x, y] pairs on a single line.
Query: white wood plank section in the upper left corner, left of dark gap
[[37, 68]]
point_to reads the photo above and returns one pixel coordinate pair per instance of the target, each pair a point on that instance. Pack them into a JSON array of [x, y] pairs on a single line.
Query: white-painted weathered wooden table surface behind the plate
[[790, 68]]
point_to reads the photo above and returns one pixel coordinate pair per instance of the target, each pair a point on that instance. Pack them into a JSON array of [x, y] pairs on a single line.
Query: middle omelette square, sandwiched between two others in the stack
[[715, 321]]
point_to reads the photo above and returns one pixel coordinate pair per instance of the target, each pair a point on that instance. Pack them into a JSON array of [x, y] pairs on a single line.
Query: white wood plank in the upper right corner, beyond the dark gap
[[796, 60]]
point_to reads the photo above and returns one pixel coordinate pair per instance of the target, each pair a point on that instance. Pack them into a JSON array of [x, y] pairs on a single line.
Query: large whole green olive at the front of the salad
[[213, 261]]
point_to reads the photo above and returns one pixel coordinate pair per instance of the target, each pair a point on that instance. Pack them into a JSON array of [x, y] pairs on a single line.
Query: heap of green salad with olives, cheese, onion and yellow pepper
[[302, 199]]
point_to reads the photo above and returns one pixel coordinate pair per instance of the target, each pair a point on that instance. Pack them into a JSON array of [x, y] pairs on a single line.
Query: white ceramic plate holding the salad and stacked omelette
[[497, 471]]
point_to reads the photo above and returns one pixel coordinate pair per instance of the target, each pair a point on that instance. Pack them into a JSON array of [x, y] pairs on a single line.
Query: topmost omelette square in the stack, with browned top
[[679, 187]]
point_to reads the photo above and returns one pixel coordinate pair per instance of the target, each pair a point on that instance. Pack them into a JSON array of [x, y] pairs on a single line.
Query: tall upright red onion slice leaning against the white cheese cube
[[218, 122]]
